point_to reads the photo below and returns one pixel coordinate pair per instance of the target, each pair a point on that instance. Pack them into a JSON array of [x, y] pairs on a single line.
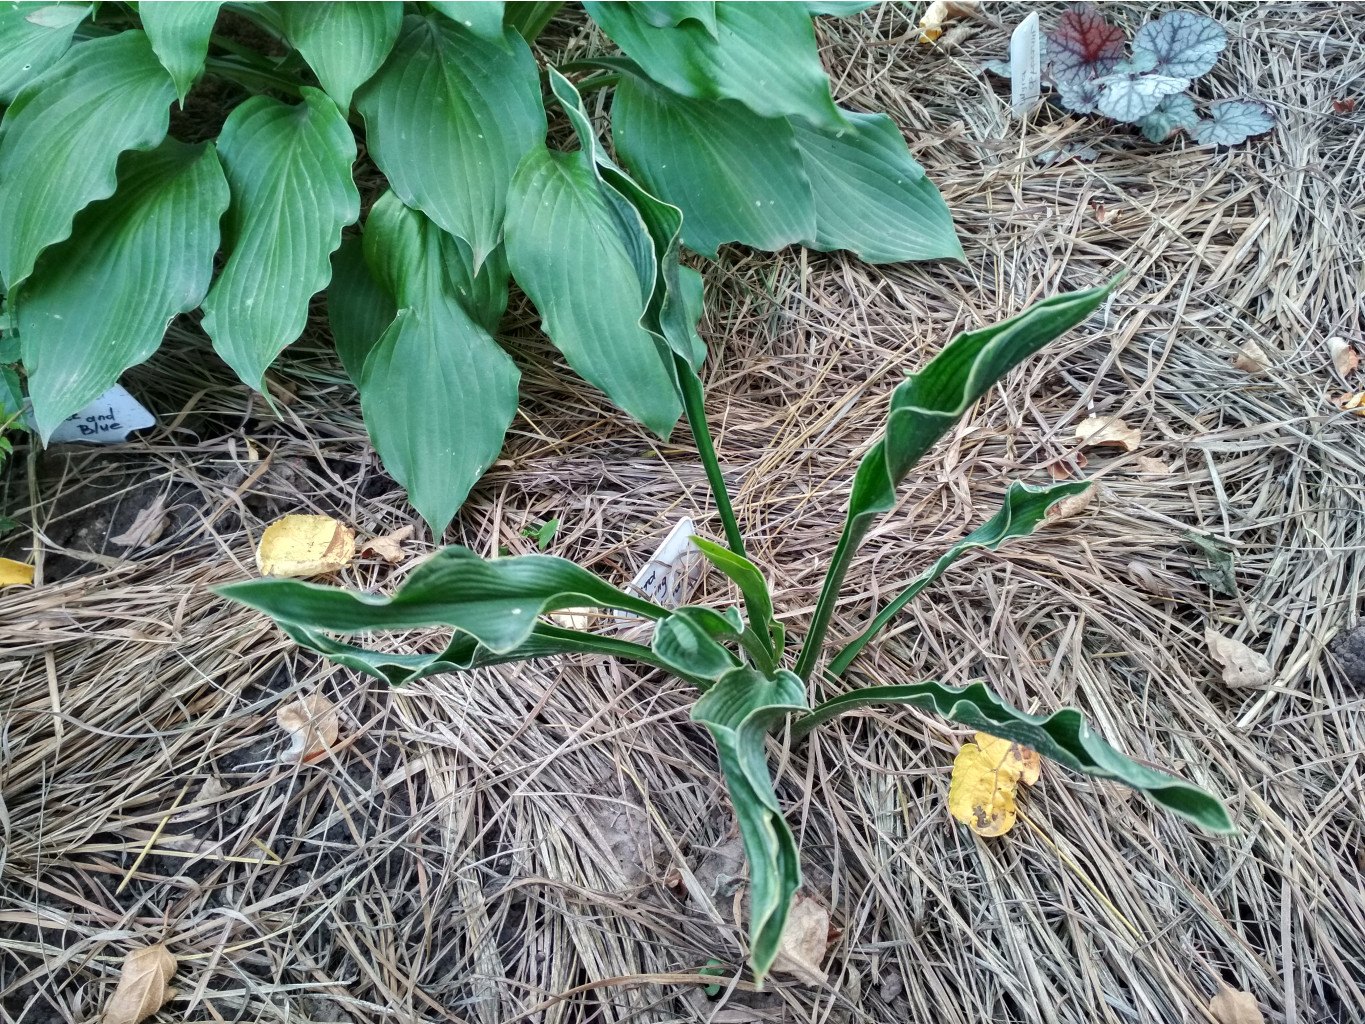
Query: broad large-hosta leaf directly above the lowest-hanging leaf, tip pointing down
[[450, 118]]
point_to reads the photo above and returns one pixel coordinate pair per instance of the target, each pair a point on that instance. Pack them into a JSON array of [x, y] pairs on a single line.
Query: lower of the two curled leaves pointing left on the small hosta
[[465, 653]]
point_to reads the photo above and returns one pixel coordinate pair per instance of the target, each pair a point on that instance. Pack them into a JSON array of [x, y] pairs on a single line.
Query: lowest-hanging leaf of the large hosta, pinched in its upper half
[[436, 390]]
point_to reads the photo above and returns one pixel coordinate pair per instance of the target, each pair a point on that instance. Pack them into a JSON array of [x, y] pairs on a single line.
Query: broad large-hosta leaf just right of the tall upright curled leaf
[[735, 175]]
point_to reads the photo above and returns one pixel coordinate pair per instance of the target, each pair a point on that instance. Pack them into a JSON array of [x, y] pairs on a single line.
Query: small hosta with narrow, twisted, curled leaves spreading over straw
[[739, 660]]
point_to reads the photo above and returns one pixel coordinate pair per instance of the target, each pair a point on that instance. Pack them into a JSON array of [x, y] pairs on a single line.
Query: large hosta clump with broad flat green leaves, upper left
[[110, 227]]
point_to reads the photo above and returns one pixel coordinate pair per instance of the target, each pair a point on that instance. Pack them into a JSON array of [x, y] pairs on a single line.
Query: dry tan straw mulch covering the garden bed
[[552, 843]]
